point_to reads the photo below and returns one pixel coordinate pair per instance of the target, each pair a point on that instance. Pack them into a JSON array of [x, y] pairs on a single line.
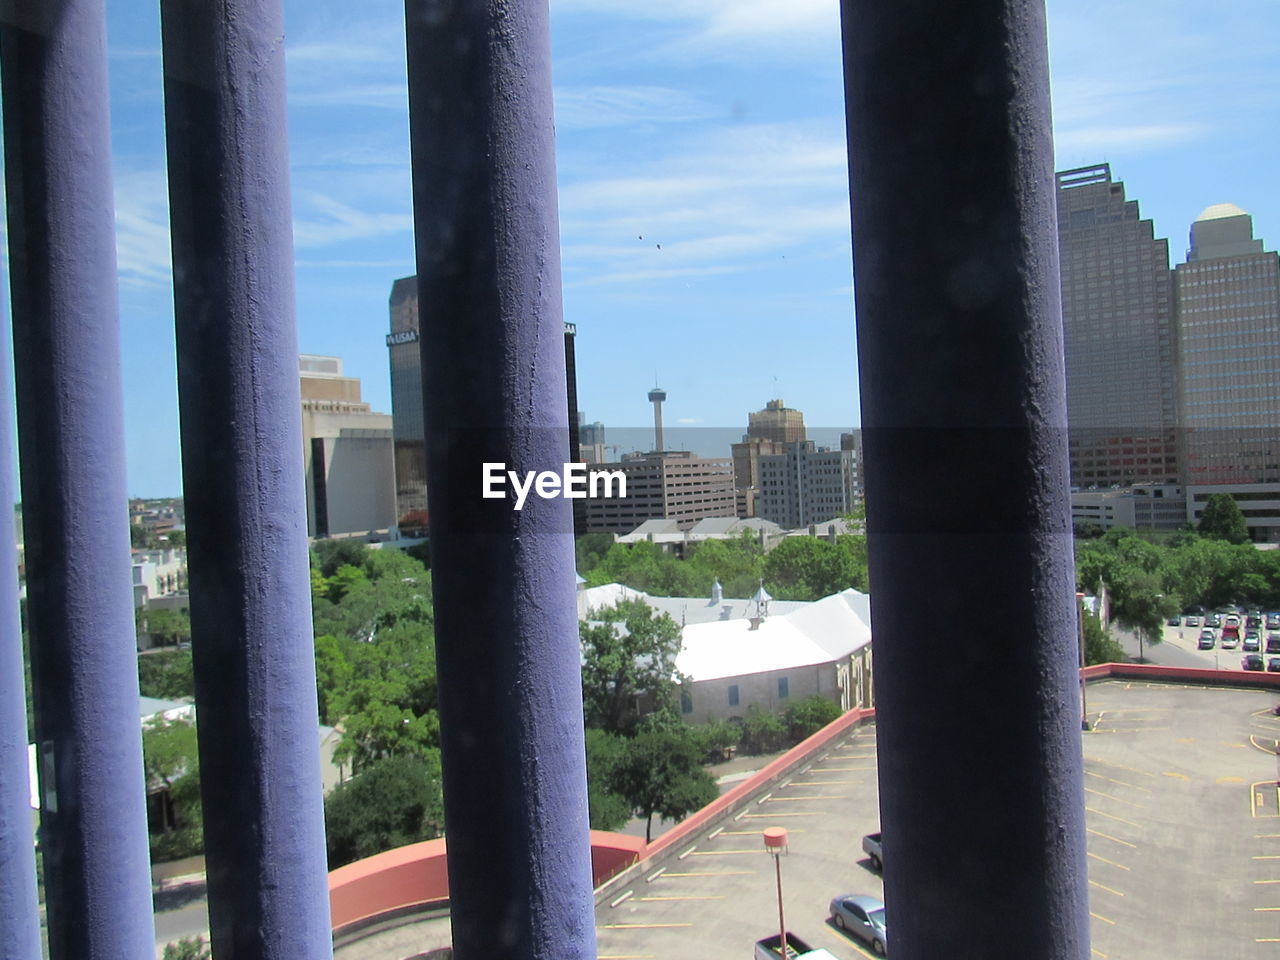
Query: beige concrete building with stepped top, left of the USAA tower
[[348, 454]]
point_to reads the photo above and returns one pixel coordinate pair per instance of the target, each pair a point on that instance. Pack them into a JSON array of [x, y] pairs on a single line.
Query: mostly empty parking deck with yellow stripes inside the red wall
[[1183, 842]]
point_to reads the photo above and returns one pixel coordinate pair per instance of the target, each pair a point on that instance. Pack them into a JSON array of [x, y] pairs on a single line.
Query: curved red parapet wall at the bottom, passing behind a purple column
[[418, 876]]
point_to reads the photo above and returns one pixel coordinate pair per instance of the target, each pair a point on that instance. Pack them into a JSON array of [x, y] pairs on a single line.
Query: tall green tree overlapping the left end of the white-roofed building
[[629, 657]]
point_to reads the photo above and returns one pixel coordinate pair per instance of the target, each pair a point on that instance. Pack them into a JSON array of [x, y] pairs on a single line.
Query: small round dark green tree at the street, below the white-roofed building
[[660, 772]]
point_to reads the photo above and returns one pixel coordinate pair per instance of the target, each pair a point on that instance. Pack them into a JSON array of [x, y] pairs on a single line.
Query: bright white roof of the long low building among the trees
[[820, 633]]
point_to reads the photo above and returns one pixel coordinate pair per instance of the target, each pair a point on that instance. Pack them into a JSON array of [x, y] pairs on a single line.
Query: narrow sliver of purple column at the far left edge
[[20, 915]]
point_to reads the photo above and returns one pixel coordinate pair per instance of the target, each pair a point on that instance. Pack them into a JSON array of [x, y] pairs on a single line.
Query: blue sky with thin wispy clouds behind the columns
[[714, 129]]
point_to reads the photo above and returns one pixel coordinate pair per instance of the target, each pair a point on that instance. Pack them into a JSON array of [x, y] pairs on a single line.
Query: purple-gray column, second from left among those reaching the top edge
[[244, 479]]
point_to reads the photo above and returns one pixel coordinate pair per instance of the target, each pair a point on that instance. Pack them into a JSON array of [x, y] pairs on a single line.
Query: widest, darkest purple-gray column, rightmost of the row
[[964, 417]]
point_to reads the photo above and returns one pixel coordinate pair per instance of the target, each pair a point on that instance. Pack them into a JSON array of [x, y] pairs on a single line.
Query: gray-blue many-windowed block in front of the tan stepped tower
[[804, 486]]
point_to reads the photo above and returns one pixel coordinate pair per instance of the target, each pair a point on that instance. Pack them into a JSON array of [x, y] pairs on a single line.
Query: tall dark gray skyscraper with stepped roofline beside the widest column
[[1119, 339]]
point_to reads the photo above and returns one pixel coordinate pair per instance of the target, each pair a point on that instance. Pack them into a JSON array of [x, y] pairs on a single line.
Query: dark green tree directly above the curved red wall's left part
[[392, 802]]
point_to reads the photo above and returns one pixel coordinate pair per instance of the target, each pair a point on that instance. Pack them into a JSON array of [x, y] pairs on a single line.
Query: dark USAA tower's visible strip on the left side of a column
[[410, 428]]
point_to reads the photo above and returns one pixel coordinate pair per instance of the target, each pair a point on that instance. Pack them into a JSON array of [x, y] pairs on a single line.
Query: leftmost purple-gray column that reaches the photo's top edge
[[71, 433]]
